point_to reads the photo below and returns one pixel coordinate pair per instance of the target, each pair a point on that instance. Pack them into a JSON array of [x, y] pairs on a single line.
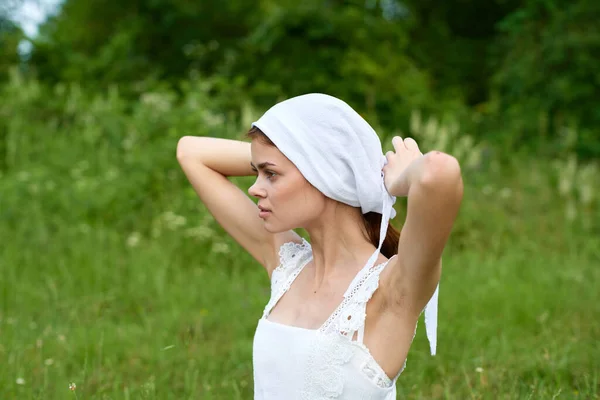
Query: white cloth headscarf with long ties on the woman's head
[[340, 154]]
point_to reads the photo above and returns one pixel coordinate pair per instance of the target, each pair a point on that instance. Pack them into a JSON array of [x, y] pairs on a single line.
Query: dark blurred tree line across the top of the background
[[516, 72]]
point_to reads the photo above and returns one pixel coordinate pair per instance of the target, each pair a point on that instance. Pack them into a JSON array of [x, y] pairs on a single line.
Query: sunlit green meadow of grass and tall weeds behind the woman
[[117, 284]]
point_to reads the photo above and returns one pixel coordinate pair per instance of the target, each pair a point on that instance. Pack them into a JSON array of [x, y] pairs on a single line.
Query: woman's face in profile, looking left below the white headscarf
[[281, 188]]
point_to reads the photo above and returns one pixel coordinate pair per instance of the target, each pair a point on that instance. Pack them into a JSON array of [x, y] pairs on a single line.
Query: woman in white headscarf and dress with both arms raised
[[344, 306]]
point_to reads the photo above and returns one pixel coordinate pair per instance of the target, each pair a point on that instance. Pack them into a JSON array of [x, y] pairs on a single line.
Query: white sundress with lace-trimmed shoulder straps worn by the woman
[[298, 363]]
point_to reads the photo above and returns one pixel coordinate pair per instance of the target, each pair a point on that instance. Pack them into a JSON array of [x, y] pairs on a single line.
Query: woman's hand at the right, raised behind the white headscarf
[[396, 170]]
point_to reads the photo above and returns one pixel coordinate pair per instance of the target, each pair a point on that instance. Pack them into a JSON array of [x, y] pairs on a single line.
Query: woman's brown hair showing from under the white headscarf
[[371, 220]]
